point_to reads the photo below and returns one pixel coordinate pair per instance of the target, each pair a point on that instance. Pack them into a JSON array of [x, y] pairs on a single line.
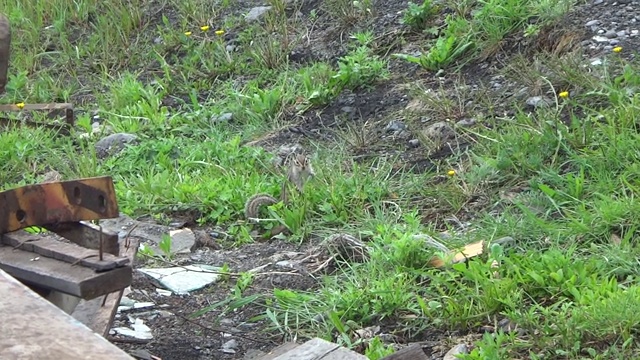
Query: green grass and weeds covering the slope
[[561, 181]]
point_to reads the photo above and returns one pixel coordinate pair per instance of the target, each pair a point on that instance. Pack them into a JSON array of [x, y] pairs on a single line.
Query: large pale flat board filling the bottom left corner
[[33, 328]]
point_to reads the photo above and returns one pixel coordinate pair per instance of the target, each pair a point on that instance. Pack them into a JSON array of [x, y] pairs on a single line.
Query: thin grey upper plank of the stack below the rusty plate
[[46, 245]]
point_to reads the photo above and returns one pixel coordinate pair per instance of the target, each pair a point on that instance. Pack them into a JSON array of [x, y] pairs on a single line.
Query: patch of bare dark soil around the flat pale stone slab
[[179, 336]]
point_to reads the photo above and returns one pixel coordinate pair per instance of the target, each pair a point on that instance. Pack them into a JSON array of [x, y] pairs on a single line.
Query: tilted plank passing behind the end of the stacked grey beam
[[93, 313]]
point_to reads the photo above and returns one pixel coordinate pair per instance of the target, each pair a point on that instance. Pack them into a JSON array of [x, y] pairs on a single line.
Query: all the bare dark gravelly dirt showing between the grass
[[177, 337]]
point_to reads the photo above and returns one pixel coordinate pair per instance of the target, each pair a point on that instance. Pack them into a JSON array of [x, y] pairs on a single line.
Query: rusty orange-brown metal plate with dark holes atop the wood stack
[[53, 203]]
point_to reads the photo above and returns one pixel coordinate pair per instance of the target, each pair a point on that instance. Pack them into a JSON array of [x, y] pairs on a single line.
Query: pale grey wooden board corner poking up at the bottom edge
[[317, 349]]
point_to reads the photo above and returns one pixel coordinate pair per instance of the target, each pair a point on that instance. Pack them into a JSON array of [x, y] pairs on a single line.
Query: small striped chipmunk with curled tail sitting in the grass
[[300, 170]]
